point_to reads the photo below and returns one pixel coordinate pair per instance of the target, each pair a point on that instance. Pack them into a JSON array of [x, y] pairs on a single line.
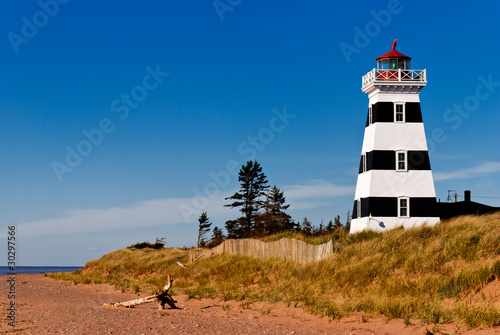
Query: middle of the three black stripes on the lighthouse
[[386, 160]]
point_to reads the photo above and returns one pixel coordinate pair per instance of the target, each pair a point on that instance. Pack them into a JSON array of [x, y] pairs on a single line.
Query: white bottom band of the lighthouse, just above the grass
[[381, 224]]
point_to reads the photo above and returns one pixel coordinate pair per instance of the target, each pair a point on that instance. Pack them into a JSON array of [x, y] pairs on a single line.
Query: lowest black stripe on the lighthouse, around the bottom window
[[388, 206]]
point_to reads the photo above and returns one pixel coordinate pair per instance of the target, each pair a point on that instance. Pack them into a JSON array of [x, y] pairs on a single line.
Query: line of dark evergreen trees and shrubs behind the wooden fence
[[263, 212]]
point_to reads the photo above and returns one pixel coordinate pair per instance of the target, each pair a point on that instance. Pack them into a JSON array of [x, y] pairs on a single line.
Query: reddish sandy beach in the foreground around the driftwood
[[47, 306]]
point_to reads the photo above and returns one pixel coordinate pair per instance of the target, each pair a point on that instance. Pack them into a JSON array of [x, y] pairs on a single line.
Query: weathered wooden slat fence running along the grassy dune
[[286, 248]]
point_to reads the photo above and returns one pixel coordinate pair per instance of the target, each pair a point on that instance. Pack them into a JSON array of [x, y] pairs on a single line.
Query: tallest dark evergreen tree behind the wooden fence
[[253, 186]]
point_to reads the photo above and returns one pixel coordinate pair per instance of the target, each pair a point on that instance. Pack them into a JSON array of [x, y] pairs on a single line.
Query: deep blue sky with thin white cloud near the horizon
[[176, 95]]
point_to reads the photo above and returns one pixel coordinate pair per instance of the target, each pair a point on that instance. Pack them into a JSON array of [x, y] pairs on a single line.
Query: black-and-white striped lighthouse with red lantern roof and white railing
[[395, 185]]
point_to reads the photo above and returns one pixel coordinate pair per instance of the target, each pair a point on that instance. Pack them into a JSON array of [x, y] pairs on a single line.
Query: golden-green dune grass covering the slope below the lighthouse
[[425, 273]]
